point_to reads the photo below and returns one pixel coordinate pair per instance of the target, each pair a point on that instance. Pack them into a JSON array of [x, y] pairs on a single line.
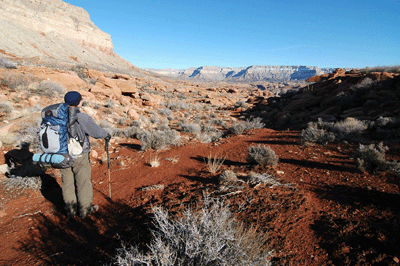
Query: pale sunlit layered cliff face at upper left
[[54, 30]]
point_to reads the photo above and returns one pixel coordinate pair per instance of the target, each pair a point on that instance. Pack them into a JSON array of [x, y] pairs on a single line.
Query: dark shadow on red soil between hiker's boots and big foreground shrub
[[89, 241]]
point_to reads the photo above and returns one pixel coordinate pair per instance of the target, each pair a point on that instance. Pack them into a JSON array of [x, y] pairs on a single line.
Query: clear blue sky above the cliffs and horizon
[[184, 33]]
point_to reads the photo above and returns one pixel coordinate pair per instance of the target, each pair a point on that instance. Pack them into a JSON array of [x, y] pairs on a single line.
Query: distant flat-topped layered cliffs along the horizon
[[251, 73]]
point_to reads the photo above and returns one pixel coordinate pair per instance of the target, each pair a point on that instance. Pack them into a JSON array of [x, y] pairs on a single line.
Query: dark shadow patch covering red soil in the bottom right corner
[[369, 232]]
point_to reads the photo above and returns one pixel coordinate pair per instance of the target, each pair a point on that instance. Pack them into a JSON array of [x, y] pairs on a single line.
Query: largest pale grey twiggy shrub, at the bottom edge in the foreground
[[210, 237]]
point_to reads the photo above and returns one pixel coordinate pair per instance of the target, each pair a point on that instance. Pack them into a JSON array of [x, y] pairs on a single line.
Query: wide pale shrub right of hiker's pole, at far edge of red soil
[[158, 139]]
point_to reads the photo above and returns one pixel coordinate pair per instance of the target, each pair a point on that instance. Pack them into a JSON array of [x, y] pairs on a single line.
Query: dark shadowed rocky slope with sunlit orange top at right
[[335, 97]]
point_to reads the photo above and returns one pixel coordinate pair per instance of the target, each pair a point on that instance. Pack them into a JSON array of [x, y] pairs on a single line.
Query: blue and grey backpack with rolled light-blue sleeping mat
[[54, 138]]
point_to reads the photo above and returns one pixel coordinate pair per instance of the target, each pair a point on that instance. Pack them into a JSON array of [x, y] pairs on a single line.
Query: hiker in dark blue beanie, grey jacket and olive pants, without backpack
[[76, 180]]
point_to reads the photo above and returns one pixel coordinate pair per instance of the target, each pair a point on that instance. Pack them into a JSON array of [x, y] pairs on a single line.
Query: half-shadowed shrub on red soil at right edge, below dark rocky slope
[[371, 158]]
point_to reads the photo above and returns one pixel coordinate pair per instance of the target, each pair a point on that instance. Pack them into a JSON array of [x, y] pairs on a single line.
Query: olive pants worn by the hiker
[[77, 187]]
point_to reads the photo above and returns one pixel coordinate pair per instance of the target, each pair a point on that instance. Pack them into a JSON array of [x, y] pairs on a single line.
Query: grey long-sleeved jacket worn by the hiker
[[86, 127]]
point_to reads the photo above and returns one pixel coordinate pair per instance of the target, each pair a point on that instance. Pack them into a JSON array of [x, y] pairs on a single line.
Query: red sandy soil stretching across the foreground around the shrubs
[[327, 213]]
